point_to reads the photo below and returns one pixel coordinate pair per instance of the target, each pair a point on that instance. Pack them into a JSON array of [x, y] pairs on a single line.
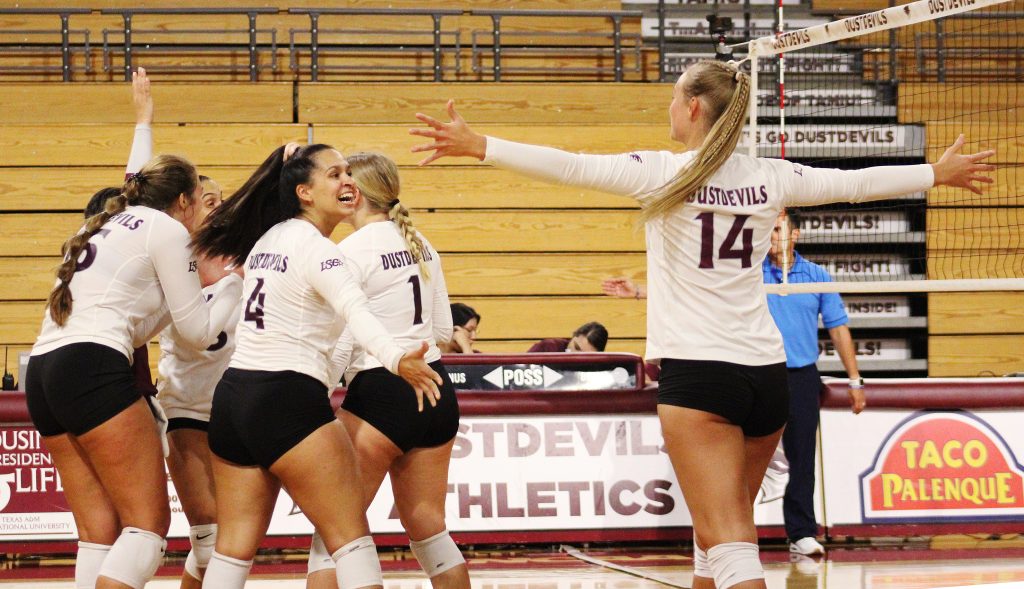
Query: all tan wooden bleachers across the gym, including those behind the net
[[528, 256]]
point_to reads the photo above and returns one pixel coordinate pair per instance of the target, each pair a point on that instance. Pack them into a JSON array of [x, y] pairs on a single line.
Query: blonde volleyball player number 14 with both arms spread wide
[[709, 215]]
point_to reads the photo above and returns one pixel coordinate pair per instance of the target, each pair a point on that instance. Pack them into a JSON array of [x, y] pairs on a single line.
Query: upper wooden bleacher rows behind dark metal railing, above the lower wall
[[351, 48]]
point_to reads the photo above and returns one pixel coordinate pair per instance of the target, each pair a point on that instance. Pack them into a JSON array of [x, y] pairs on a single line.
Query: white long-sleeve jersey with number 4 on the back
[[297, 299]]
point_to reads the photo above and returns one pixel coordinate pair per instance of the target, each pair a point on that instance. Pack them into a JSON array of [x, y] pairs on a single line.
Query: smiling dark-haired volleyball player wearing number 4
[[272, 425]]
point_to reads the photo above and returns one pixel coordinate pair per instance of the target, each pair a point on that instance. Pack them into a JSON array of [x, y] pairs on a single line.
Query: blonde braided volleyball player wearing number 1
[[402, 277]]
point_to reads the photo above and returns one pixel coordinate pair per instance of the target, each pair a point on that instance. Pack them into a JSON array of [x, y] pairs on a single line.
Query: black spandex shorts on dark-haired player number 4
[[259, 415]]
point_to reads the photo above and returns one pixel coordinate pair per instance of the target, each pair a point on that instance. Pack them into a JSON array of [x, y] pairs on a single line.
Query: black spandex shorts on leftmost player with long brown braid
[[76, 388]]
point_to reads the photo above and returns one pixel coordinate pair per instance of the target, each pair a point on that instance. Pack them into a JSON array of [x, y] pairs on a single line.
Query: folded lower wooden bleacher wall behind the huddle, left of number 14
[[529, 257]]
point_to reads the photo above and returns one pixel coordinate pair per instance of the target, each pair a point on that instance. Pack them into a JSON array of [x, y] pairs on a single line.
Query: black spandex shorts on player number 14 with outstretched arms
[[755, 398]]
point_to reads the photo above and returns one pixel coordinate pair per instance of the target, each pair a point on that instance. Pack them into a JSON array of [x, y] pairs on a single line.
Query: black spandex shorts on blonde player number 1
[[389, 403]]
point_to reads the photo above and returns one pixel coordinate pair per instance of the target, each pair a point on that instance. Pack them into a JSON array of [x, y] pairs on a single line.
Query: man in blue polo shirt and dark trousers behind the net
[[797, 318]]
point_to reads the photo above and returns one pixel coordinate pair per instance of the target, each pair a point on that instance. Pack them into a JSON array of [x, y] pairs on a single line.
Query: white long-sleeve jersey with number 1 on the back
[[413, 308]]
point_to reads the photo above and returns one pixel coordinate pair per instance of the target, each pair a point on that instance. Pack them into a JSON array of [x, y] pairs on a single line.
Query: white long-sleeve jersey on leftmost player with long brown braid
[[136, 265]]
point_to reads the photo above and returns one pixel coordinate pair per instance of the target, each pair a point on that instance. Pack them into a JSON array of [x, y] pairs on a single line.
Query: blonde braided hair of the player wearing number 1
[[377, 179]]
